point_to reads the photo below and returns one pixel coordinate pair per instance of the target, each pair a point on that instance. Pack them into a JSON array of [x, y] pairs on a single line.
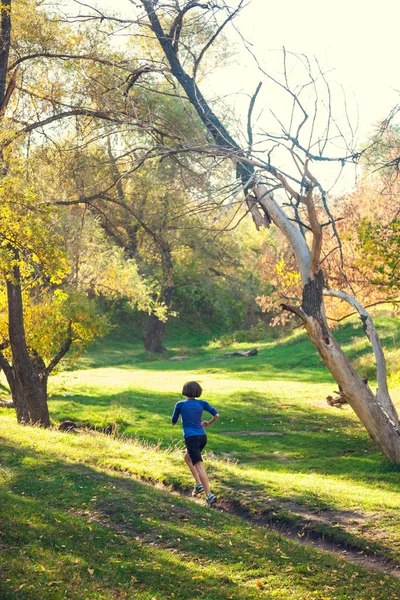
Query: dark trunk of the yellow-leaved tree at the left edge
[[29, 389]]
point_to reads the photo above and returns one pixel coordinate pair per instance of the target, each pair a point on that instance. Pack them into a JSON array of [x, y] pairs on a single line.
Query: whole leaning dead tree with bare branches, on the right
[[307, 147]]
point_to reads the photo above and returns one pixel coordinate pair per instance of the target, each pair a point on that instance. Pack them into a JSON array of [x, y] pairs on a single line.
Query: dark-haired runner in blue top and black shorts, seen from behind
[[191, 411]]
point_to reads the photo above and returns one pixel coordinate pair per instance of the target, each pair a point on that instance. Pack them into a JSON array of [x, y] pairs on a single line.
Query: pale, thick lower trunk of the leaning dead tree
[[375, 411]]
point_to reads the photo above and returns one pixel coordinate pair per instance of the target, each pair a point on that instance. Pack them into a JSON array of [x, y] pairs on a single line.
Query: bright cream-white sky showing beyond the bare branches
[[355, 42]]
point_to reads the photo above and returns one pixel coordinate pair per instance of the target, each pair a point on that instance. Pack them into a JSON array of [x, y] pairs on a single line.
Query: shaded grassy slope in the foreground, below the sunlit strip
[[71, 531]]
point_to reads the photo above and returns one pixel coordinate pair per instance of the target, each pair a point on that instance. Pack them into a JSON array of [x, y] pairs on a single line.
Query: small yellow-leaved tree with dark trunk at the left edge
[[30, 258]]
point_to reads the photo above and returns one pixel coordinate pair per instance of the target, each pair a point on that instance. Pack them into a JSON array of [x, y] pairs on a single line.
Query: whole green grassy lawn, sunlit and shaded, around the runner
[[79, 520]]
